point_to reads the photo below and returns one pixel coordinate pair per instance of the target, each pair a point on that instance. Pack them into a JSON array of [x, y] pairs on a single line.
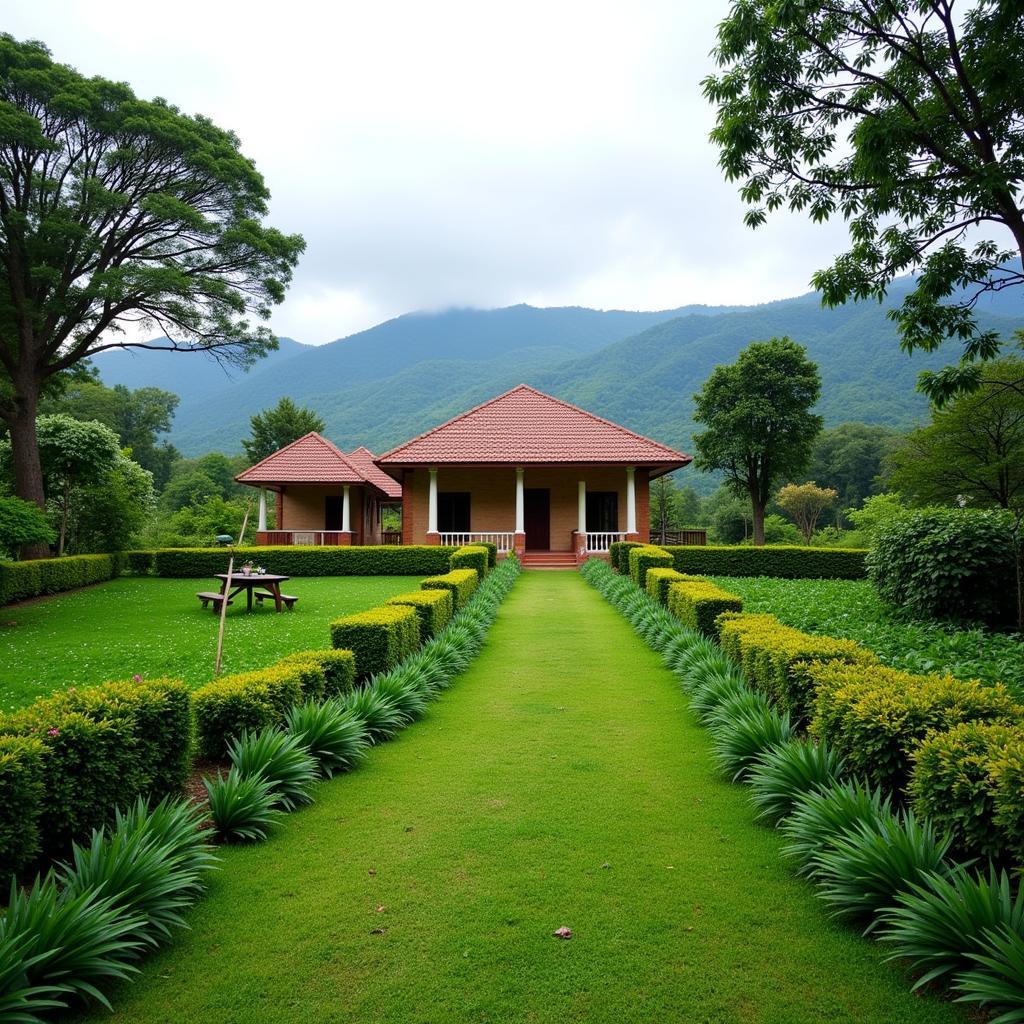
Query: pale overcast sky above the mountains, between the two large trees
[[461, 154]]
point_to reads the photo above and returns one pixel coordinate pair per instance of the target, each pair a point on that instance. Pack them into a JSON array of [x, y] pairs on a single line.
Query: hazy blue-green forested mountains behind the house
[[641, 369]]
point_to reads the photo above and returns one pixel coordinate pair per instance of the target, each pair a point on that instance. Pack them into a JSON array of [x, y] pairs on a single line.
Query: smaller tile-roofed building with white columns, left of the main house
[[323, 495]]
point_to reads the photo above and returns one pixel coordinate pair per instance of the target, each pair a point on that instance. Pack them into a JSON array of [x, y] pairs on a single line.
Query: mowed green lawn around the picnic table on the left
[[156, 628]]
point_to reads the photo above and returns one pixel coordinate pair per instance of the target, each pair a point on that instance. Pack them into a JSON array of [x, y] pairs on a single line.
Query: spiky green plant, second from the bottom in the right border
[[942, 921]]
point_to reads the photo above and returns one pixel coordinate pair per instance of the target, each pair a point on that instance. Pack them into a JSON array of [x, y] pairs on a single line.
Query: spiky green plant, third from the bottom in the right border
[[862, 872]]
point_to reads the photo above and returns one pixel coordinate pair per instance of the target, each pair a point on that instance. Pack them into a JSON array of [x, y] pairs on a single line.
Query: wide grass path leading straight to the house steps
[[561, 782]]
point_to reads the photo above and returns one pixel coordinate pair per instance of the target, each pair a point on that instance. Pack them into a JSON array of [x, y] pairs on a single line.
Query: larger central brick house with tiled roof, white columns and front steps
[[529, 473]]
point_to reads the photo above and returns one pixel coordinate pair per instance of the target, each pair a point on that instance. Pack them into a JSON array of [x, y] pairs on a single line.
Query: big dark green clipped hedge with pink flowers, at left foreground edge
[[68, 760]]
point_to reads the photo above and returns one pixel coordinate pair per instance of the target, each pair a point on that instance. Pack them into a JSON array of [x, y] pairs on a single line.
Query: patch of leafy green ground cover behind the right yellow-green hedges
[[851, 610]]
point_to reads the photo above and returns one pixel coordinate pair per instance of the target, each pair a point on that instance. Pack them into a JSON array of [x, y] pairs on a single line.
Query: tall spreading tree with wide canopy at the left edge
[[119, 218]]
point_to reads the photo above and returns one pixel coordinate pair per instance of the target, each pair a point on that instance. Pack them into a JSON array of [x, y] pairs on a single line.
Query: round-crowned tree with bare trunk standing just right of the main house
[[760, 429]]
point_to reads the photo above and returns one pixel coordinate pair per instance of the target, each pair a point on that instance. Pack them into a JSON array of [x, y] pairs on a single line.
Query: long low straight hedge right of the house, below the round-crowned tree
[[786, 563]]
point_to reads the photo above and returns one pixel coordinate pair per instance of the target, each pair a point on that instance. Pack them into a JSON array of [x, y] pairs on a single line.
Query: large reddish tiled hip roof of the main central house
[[526, 426]]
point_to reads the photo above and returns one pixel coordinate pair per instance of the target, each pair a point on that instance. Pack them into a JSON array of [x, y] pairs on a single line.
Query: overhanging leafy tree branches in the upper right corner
[[906, 118]]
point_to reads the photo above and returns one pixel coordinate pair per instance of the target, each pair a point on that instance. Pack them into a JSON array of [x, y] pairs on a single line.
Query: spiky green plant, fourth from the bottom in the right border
[[823, 814]]
